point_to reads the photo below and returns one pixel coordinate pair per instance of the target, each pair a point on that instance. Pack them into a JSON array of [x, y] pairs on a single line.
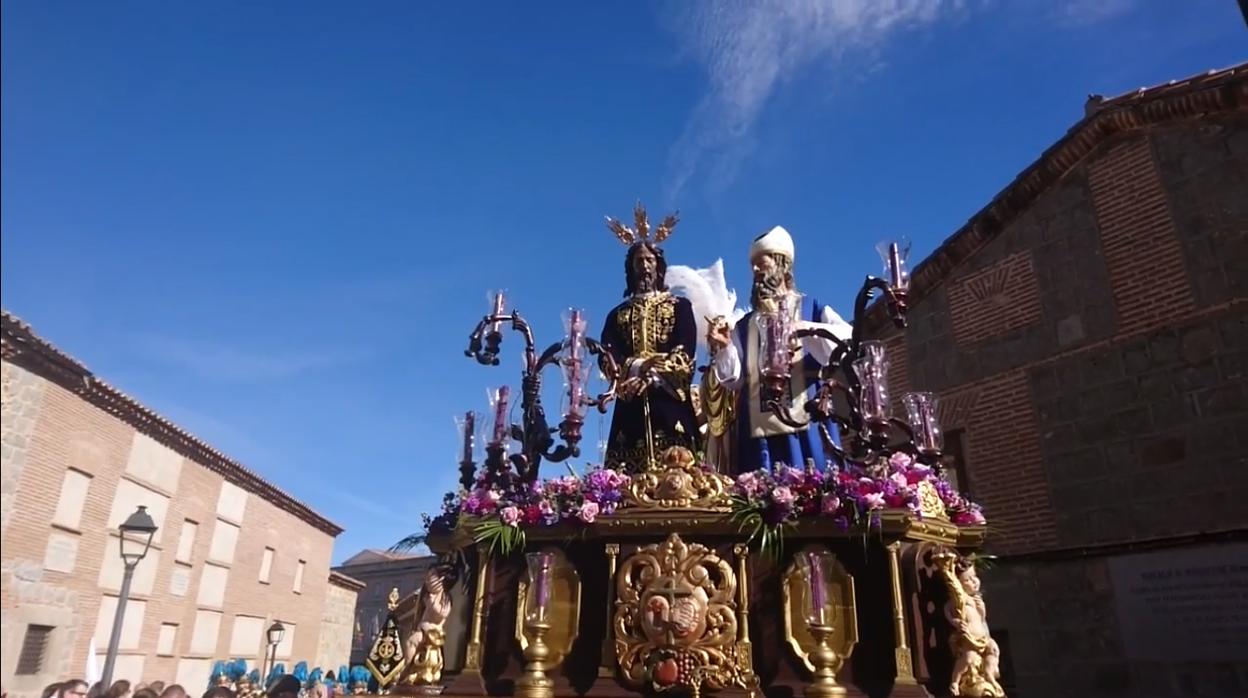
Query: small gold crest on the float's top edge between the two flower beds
[[680, 483]]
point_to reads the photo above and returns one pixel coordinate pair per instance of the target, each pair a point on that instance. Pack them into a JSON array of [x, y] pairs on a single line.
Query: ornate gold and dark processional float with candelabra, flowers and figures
[[662, 576]]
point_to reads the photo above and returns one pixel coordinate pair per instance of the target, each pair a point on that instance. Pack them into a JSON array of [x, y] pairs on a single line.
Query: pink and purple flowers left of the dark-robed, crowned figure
[[502, 510]]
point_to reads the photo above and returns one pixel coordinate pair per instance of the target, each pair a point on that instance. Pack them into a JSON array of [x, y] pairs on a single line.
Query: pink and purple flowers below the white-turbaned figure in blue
[[768, 503]]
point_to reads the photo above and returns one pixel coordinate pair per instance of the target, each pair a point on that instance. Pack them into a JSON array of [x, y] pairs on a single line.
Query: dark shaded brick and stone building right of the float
[[1088, 337]]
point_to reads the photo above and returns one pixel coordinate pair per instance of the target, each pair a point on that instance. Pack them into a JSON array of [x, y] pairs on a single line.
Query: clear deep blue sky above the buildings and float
[[276, 223]]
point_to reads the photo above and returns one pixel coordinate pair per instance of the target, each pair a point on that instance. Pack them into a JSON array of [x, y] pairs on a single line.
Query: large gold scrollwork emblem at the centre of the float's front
[[676, 619]]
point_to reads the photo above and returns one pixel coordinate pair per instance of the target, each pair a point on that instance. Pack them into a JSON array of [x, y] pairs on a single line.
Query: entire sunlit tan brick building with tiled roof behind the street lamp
[[233, 553]]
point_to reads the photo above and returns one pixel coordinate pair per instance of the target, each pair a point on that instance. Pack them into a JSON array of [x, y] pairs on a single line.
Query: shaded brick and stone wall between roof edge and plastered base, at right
[[1099, 273]]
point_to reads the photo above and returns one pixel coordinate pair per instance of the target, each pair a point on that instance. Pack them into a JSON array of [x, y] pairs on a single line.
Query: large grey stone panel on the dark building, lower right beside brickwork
[[1146, 439]]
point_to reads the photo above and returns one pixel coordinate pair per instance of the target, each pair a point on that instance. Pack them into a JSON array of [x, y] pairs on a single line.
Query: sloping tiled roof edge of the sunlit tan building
[[23, 348]]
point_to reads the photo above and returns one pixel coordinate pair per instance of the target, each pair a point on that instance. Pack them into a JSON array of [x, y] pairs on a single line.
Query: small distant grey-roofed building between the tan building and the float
[[379, 573]]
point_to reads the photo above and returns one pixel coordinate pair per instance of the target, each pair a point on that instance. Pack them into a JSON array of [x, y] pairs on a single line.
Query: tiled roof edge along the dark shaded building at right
[[1214, 92]]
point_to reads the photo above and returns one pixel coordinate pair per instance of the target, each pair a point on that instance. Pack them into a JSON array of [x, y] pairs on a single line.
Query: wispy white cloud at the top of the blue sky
[[749, 48]]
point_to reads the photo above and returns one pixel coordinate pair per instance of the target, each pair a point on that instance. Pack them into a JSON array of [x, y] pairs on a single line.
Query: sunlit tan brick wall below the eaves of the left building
[[71, 433]]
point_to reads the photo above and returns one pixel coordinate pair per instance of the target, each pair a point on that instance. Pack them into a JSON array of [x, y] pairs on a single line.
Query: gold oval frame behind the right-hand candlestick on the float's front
[[842, 604]]
